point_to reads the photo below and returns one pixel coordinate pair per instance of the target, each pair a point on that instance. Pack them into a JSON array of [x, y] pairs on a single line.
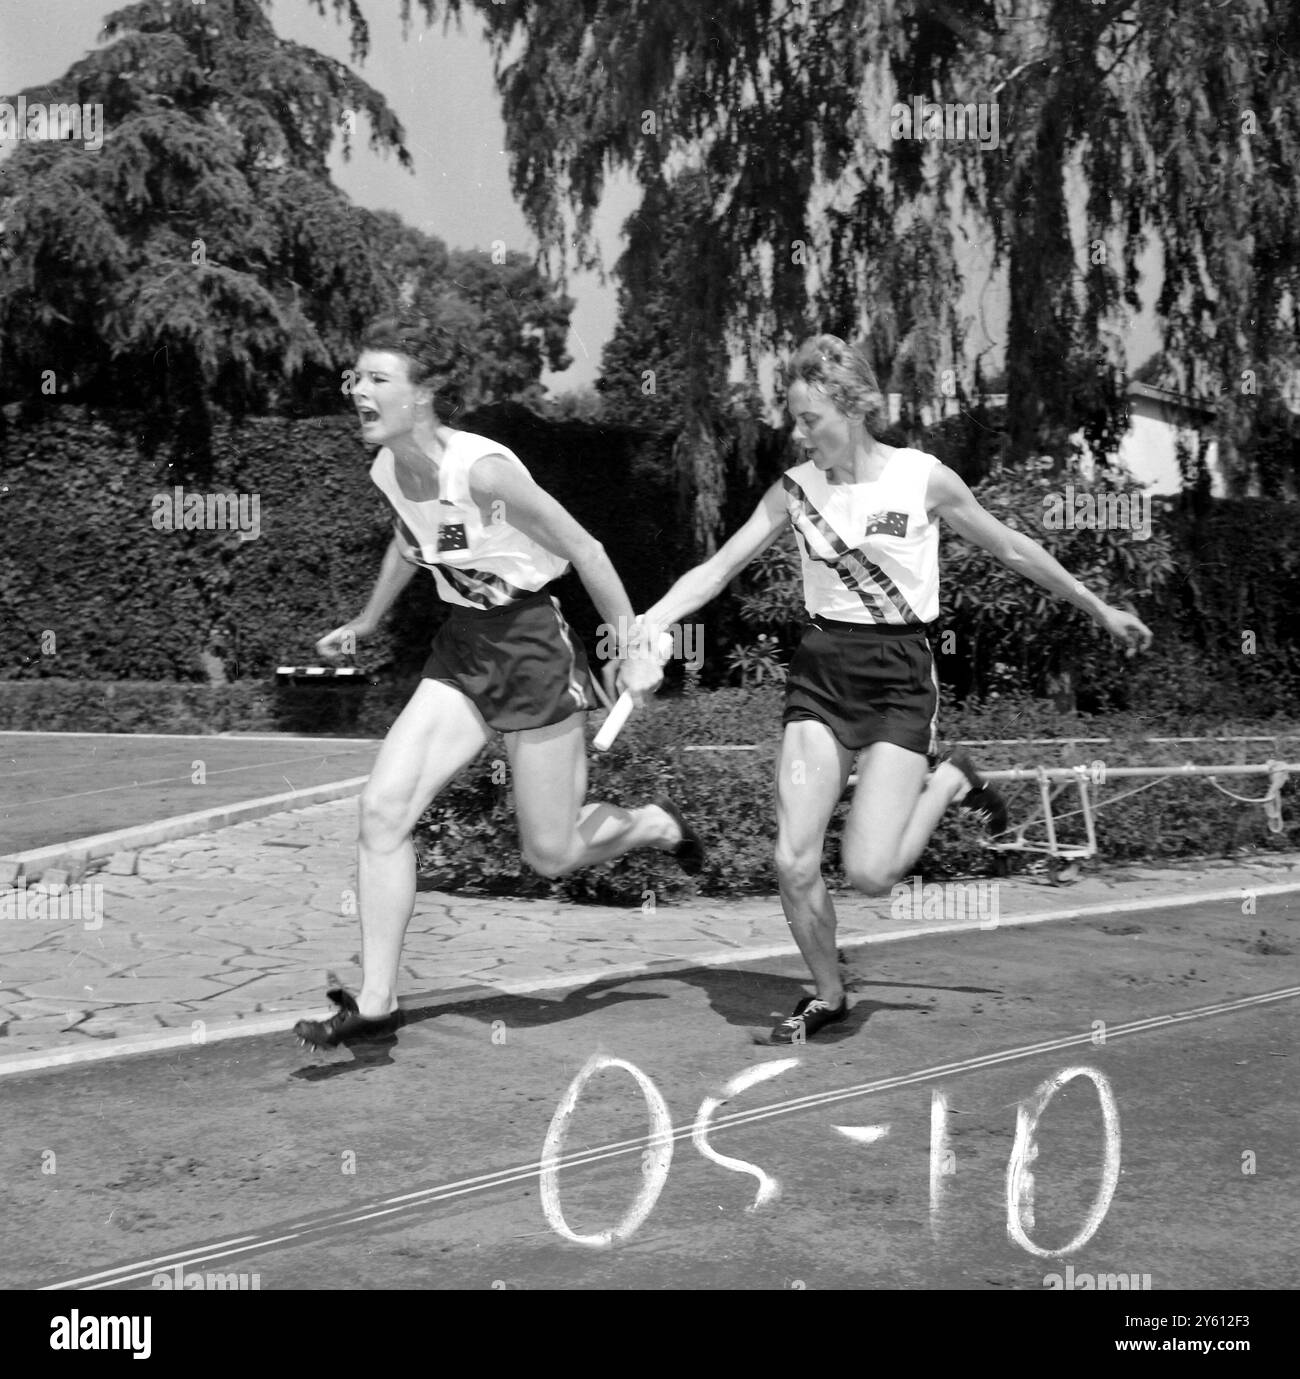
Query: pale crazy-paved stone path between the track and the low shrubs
[[245, 923]]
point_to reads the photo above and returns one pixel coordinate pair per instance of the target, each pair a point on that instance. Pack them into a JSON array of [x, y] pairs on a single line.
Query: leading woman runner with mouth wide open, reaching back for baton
[[505, 660]]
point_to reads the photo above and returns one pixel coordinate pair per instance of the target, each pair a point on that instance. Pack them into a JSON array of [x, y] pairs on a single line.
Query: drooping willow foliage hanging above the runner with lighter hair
[[1119, 123]]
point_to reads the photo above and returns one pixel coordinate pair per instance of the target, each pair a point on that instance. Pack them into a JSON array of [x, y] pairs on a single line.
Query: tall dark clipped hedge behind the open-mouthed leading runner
[[93, 590]]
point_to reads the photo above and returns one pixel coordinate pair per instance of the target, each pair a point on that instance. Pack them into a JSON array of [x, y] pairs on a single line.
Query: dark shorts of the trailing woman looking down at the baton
[[868, 683]]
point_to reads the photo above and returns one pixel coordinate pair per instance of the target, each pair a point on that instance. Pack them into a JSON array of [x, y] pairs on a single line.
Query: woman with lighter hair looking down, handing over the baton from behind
[[866, 519]]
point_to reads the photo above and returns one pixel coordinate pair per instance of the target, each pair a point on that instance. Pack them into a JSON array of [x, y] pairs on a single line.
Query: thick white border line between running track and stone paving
[[217, 1032]]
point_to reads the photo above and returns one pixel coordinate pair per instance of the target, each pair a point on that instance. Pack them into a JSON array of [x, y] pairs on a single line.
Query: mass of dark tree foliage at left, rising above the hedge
[[202, 254]]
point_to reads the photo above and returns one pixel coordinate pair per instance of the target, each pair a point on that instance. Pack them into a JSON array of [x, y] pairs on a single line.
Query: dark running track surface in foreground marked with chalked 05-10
[[418, 1165]]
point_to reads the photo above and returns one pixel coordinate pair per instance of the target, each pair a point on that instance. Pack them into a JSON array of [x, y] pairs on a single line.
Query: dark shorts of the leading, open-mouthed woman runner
[[520, 665]]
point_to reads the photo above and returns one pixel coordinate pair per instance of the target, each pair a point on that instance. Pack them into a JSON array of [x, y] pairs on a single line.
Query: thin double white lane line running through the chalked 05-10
[[425, 1198]]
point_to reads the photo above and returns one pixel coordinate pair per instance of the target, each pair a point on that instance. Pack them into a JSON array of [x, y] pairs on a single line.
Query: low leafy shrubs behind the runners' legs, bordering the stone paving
[[469, 841]]
